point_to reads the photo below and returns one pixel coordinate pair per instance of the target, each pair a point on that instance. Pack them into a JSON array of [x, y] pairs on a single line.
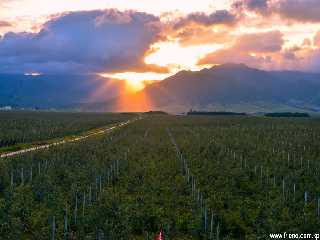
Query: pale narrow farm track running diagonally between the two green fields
[[74, 139]]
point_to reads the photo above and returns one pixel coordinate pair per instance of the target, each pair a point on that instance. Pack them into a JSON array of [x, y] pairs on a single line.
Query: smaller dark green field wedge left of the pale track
[[20, 129]]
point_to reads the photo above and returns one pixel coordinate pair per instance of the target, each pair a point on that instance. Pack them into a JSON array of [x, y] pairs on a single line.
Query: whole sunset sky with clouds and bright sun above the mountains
[[150, 40]]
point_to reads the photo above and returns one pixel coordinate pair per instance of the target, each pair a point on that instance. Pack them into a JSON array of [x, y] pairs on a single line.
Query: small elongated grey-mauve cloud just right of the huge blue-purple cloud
[[220, 17]]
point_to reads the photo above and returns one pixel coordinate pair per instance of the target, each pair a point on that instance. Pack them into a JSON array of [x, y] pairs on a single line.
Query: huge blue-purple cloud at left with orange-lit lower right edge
[[84, 42]]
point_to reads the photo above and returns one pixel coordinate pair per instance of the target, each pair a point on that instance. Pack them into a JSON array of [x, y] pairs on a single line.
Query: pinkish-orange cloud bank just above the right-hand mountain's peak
[[266, 51]]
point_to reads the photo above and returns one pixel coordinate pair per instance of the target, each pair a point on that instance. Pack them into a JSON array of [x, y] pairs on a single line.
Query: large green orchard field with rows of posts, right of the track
[[195, 177]]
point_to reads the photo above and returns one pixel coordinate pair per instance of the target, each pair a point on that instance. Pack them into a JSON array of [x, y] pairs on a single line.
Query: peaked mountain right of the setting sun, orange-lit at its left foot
[[229, 87]]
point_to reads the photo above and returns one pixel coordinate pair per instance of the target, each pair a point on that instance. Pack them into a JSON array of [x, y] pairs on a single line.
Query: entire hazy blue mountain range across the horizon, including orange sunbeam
[[228, 87]]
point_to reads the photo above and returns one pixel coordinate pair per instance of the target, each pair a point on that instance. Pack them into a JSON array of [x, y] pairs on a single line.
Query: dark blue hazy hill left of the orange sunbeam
[[56, 91]]
